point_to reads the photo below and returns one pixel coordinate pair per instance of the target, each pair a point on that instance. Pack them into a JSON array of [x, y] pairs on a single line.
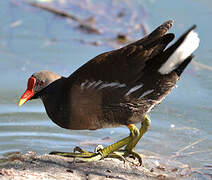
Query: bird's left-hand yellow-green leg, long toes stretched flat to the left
[[111, 150]]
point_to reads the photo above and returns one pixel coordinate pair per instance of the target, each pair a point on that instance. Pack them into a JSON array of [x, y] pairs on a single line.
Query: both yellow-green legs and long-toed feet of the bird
[[114, 149]]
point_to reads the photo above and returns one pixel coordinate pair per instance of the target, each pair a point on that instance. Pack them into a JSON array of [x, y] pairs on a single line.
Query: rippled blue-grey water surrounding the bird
[[32, 40]]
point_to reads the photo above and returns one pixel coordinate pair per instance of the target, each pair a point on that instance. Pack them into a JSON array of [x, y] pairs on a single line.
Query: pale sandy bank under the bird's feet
[[17, 166]]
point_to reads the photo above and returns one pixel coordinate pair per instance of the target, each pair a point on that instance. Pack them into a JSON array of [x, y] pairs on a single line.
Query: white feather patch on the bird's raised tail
[[189, 45]]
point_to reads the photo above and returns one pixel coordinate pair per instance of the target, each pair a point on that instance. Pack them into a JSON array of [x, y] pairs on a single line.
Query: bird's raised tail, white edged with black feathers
[[178, 56]]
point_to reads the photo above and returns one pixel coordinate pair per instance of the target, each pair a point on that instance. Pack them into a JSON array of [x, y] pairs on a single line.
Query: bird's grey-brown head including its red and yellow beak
[[36, 83]]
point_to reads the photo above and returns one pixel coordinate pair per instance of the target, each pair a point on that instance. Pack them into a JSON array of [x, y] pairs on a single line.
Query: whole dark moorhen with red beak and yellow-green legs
[[115, 88]]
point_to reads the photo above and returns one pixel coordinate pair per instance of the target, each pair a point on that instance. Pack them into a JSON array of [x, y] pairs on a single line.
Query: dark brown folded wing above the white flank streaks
[[125, 65]]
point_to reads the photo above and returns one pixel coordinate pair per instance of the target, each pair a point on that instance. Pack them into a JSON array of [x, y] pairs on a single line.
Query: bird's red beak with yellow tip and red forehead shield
[[29, 92]]
